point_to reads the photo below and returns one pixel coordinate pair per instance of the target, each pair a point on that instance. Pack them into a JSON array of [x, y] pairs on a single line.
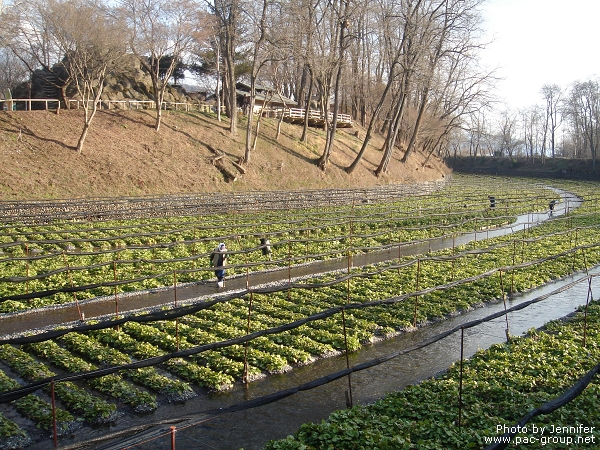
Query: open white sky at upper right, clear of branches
[[539, 42]]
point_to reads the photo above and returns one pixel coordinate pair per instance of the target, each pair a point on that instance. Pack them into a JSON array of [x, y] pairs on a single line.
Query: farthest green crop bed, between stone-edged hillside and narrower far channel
[[49, 264]]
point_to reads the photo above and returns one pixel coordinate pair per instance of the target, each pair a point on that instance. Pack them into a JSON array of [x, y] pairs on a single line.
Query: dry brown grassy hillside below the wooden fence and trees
[[124, 156]]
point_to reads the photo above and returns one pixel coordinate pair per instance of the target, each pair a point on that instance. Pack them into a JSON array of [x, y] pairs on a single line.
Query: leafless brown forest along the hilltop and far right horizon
[[406, 69]]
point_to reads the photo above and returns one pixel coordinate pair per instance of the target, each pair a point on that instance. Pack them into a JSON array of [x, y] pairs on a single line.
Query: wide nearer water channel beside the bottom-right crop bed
[[253, 428]]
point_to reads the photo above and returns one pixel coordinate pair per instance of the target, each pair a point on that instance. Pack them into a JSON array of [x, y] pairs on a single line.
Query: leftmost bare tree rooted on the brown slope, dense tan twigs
[[93, 43]]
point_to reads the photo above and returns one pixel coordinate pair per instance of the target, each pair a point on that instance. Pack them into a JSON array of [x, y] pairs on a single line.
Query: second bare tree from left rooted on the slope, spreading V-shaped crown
[[160, 30]]
